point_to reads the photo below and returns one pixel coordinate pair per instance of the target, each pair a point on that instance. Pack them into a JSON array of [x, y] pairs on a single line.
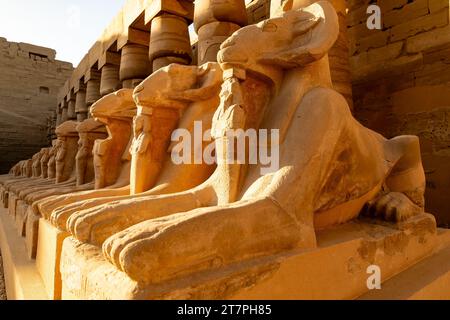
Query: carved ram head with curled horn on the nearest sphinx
[[293, 39]]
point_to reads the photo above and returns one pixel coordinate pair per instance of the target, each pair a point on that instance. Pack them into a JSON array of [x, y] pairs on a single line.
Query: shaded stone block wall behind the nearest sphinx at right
[[401, 82]]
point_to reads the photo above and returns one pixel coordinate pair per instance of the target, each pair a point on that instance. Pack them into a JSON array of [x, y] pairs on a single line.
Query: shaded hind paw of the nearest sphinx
[[393, 206]]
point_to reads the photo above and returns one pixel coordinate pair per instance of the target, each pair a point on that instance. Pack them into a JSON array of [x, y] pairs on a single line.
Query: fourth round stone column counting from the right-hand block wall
[[135, 65]]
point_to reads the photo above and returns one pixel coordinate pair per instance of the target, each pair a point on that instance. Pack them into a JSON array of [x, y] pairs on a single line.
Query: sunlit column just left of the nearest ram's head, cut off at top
[[214, 23]]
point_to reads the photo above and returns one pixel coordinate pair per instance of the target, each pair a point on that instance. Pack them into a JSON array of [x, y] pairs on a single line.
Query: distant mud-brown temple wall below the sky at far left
[[30, 78]]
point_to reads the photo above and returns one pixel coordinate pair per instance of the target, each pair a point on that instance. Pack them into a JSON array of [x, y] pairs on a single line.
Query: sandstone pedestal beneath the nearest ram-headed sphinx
[[336, 269]]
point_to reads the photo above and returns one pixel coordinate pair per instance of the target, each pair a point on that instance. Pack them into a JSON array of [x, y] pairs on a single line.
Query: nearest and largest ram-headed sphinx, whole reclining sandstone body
[[276, 76]]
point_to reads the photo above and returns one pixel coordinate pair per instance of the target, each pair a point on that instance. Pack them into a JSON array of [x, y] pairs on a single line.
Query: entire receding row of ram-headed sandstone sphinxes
[[118, 191]]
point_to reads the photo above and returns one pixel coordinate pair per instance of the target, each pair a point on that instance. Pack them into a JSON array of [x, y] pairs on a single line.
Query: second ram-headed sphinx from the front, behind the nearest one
[[173, 97]]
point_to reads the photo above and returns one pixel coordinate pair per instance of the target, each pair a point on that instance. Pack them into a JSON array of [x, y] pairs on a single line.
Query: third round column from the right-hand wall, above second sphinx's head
[[169, 41]]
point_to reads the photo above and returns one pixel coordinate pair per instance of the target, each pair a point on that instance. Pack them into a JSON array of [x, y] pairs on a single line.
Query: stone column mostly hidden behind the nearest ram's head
[[339, 55]]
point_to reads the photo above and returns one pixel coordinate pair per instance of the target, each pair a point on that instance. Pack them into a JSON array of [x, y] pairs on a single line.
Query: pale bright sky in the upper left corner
[[70, 27]]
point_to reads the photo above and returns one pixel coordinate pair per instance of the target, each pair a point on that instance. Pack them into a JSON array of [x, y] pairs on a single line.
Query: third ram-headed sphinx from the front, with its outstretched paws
[[111, 156]]
